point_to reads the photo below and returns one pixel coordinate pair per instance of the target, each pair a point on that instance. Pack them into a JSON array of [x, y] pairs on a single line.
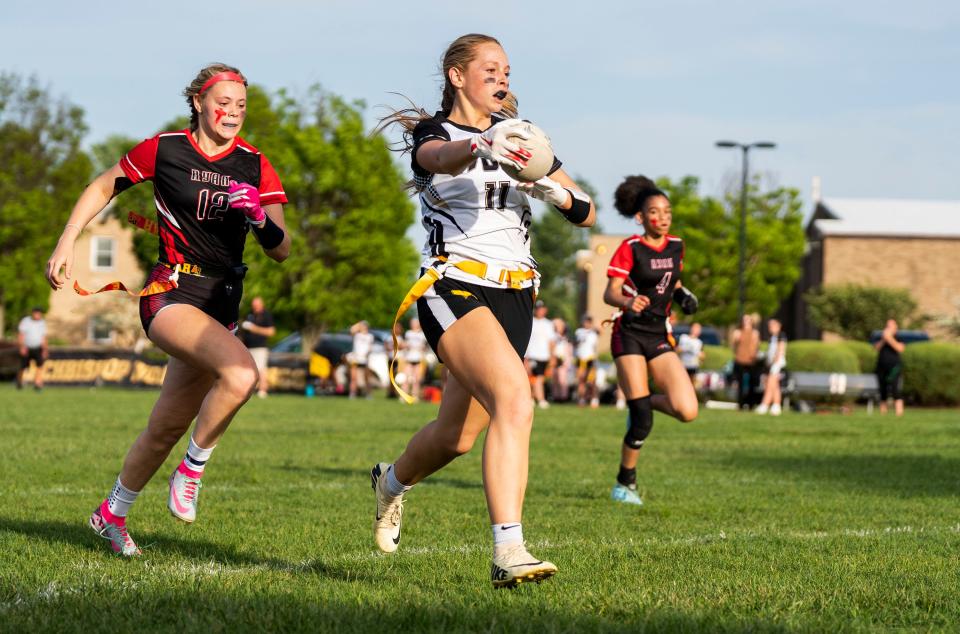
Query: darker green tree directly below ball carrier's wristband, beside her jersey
[[554, 245]]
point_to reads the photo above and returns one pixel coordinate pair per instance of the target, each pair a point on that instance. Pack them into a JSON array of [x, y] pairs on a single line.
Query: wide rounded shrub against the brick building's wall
[[854, 311]]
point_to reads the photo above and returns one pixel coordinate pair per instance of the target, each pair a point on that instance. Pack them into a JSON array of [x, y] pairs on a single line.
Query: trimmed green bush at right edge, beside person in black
[[930, 373]]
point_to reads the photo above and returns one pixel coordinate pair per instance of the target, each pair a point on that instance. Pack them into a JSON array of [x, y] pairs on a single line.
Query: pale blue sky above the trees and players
[[863, 95]]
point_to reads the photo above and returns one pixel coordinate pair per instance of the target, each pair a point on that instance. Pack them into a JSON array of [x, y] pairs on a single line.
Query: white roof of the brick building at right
[[881, 217]]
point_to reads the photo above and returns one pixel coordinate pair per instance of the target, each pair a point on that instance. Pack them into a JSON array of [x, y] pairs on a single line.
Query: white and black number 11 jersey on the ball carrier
[[477, 214]]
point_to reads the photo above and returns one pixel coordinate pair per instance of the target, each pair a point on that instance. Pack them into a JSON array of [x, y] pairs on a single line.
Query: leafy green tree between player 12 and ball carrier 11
[[348, 215]]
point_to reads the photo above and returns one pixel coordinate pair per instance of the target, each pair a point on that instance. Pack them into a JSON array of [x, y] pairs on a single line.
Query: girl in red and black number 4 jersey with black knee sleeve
[[644, 281]]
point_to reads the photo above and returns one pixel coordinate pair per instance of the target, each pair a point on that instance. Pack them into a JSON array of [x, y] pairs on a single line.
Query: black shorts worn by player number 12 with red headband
[[217, 296]]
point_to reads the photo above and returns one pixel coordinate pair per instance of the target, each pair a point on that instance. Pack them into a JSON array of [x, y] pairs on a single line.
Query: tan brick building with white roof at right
[[908, 244]]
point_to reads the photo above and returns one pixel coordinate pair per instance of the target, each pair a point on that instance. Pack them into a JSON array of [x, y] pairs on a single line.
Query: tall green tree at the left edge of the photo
[[42, 172]]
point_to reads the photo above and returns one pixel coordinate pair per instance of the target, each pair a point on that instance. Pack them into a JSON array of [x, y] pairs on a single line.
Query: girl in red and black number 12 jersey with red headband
[[210, 189]]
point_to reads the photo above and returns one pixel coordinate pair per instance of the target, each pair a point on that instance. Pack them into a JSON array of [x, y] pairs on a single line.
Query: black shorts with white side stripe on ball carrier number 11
[[448, 300]]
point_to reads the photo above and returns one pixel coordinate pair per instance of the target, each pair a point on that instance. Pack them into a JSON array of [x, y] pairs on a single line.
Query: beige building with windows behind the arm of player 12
[[103, 254]]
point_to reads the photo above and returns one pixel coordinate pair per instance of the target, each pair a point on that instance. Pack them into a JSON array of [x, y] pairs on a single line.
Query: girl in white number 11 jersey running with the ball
[[477, 317]]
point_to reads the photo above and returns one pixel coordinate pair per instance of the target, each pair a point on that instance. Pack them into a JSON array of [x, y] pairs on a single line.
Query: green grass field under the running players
[[811, 523]]
